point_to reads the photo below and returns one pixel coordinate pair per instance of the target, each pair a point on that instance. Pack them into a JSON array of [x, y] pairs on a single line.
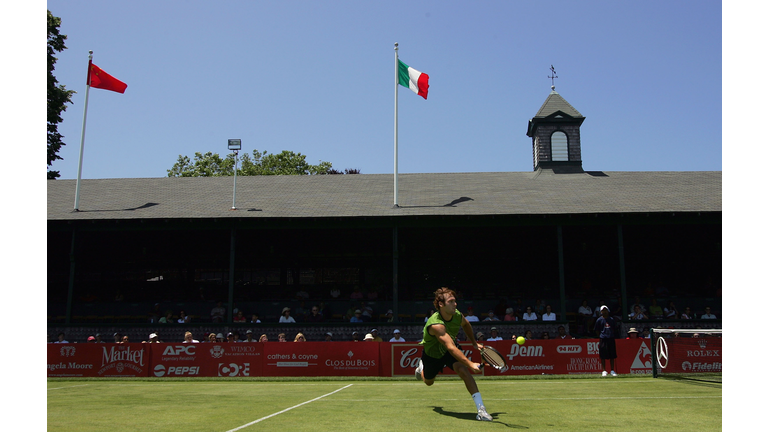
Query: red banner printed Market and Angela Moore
[[98, 360]]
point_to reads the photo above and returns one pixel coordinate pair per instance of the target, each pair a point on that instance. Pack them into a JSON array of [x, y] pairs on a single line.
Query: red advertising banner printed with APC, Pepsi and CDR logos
[[206, 359]]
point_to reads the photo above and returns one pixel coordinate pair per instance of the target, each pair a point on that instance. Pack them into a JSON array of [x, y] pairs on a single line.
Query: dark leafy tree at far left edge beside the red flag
[[58, 95]]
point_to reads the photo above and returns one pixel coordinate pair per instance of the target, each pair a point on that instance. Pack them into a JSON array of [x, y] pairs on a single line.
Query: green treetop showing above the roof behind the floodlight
[[261, 163]]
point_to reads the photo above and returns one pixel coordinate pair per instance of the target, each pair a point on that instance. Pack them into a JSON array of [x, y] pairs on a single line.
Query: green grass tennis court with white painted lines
[[584, 403]]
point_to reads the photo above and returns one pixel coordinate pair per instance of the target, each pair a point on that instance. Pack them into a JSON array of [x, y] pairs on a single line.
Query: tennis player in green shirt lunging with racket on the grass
[[441, 348]]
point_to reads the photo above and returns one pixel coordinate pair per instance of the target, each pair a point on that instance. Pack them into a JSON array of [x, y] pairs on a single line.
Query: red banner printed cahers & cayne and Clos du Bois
[[321, 359]]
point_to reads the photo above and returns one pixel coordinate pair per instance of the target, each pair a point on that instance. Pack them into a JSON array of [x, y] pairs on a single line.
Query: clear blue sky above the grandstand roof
[[318, 78]]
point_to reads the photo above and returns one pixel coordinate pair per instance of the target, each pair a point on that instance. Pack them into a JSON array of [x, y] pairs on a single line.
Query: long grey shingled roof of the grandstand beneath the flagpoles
[[371, 195]]
